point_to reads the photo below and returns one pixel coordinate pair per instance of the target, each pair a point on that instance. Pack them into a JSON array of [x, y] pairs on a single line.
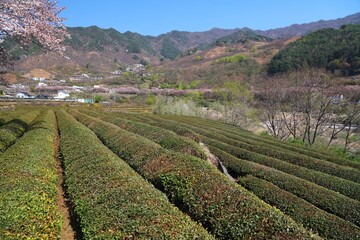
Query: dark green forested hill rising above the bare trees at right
[[336, 50]]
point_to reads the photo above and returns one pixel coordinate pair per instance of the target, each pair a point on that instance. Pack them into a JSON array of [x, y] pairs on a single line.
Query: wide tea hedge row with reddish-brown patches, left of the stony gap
[[199, 189]]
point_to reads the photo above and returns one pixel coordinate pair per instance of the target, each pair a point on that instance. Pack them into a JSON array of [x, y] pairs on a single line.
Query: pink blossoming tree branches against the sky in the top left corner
[[30, 21]]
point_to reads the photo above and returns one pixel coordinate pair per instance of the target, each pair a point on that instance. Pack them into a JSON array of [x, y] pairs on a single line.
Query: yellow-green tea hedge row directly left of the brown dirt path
[[29, 185]]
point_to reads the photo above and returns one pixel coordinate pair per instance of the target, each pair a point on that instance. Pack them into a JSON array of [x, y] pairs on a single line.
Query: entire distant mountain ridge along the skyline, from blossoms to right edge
[[107, 49]]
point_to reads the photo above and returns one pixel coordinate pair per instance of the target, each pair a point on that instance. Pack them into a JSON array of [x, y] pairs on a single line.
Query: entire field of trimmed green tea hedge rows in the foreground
[[144, 176]]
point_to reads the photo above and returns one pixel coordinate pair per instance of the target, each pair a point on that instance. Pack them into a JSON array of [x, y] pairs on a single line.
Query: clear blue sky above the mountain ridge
[[154, 17]]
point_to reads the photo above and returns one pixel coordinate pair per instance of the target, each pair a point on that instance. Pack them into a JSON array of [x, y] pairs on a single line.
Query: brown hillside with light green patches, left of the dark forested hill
[[240, 62]]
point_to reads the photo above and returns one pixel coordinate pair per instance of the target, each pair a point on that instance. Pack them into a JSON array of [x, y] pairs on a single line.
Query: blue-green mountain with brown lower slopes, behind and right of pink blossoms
[[108, 50]]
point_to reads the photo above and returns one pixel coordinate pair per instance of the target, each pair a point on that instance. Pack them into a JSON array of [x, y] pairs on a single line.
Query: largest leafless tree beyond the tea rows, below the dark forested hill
[[298, 105]]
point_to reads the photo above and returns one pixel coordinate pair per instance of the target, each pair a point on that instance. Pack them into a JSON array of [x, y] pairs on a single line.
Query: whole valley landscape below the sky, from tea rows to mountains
[[221, 134]]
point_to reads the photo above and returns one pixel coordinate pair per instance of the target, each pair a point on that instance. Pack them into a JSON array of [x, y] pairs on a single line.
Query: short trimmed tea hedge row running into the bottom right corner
[[326, 225]]
